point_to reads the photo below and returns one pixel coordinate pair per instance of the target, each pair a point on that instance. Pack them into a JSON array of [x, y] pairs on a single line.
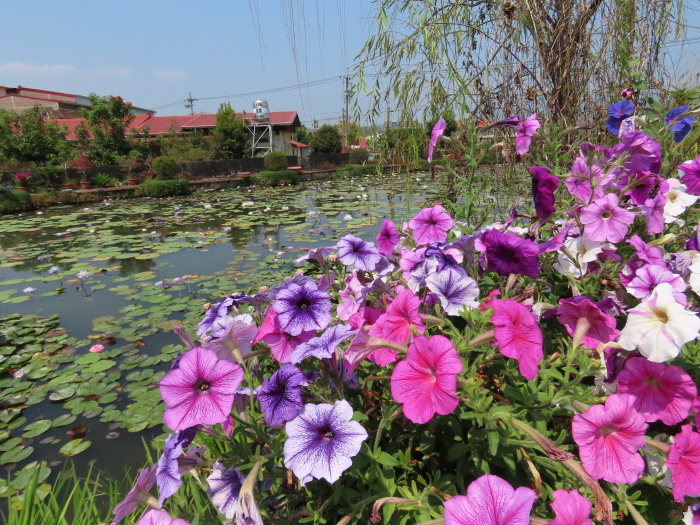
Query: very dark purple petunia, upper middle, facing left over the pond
[[508, 254]]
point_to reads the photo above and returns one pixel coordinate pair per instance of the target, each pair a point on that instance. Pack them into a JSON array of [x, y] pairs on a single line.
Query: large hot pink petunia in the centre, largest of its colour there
[[426, 382]]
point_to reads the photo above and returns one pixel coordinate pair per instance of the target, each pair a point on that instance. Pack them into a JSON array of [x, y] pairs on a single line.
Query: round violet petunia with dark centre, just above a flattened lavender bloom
[[302, 308]]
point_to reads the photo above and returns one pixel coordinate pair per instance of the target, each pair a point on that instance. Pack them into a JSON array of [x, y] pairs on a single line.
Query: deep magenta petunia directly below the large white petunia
[[664, 392]]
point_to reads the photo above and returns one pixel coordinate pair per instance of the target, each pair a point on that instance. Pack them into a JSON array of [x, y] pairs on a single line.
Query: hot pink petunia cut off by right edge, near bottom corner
[[684, 463]]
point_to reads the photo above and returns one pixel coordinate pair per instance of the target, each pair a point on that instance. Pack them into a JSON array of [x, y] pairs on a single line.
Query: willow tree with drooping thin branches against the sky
[[559, 58]]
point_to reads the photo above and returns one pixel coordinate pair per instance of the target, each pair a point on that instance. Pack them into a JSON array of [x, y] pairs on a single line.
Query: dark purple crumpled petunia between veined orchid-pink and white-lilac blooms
[[280, 396]]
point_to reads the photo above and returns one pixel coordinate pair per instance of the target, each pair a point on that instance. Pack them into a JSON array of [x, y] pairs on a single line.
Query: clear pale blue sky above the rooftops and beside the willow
[[154, 52]]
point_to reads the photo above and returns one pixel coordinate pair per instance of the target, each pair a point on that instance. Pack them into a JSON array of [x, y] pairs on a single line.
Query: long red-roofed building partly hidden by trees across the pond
[[275, 134]]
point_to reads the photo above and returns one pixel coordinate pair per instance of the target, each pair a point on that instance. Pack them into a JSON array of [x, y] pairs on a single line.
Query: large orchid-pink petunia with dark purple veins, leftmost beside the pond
[[200, 391]]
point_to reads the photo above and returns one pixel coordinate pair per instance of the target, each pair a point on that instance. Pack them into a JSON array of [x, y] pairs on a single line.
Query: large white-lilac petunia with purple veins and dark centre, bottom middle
[[322, 440]]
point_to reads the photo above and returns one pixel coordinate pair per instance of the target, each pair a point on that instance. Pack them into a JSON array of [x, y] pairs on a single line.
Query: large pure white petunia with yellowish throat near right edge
[[659, 326]]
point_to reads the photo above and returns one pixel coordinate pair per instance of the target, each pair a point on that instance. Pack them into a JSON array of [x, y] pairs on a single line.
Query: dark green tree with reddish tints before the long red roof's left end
[[105, 127]]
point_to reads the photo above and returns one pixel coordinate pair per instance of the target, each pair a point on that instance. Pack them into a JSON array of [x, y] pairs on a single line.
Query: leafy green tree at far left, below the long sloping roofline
[[29, 137]]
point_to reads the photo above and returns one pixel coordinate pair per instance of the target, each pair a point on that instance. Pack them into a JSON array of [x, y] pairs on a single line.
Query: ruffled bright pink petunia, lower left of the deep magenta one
[[609, 437]]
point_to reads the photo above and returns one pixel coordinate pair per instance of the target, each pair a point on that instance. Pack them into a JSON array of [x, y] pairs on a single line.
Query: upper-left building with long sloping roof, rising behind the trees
[[59, 105]]
